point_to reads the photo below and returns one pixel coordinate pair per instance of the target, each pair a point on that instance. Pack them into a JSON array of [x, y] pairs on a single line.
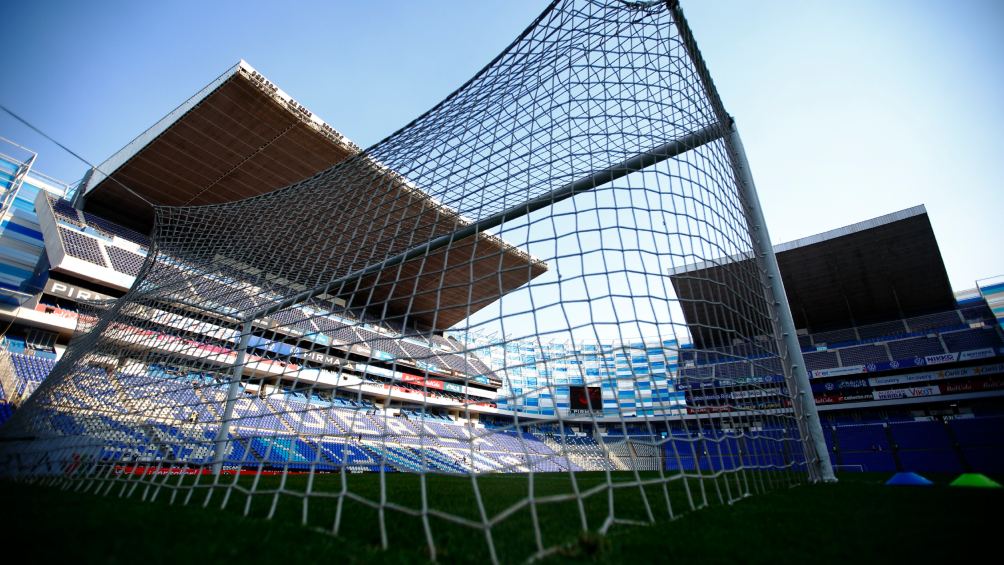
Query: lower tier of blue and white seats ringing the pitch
[[434, 444]]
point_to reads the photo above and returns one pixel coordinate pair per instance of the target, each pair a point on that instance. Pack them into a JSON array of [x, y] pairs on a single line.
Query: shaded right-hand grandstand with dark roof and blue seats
[[908, 376]]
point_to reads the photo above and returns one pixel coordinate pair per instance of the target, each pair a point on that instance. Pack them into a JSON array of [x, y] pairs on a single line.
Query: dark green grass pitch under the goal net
[[857, 520]]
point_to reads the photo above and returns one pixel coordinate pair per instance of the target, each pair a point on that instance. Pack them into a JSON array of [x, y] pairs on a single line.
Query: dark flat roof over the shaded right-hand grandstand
[[878, 270]]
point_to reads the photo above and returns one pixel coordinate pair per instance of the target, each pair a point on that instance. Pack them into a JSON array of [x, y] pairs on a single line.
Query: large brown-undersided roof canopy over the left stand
[[242, 137]]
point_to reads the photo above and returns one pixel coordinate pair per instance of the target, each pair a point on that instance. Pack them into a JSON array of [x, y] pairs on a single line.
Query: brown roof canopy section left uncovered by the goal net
[[237, 138]]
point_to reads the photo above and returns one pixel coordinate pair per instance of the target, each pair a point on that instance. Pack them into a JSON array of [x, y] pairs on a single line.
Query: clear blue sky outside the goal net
[[849, 110]]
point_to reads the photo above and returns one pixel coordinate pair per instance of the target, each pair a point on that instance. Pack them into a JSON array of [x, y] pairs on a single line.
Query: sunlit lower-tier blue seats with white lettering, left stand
[[274, 434]]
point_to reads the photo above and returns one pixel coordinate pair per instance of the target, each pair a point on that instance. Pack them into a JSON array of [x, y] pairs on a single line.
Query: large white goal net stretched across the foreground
[[542, 309]]
